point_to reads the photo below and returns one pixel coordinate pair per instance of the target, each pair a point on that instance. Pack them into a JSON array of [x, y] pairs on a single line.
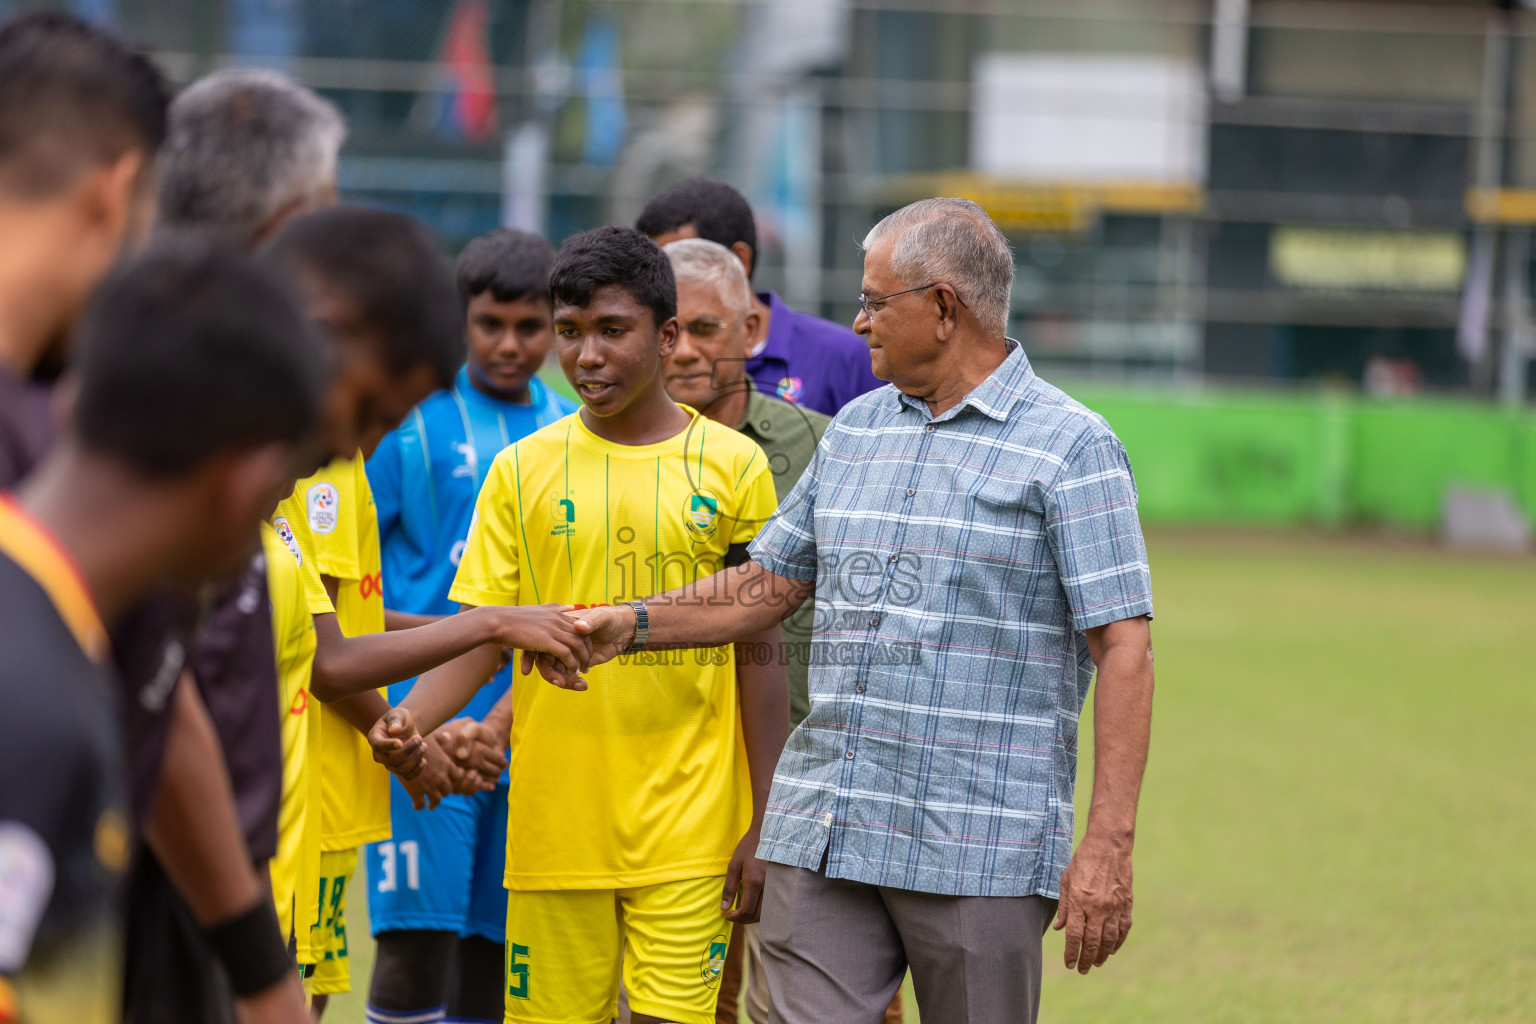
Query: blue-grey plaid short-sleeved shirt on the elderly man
[[958, 563]]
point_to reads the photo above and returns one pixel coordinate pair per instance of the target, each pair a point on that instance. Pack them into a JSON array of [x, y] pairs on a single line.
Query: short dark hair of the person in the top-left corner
[[71, 97]]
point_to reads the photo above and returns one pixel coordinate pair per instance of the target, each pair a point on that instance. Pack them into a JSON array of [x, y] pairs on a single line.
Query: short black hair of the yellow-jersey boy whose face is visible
[[615, 256]]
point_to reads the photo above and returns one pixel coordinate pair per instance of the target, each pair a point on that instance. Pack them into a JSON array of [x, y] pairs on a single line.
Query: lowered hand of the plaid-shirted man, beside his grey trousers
[[1096, 902]]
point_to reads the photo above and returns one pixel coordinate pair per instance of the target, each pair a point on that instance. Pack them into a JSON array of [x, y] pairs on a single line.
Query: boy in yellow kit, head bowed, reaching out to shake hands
[[389, 309]]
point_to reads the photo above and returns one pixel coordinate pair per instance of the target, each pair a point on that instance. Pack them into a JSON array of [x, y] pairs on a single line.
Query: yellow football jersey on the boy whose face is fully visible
[[643, 779]]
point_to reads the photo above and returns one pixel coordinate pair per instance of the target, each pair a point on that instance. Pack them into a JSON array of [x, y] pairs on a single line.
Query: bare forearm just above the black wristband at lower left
[[193, 825]]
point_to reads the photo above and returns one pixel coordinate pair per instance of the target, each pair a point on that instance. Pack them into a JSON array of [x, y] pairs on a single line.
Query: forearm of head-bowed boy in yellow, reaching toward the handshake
[[351, 666]]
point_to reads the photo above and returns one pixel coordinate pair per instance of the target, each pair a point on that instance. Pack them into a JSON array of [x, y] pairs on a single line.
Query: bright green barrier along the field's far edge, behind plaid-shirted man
[[1328, 458]]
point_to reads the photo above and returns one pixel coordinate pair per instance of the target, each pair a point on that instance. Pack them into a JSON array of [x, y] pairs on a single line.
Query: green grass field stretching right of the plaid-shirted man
[[1339, 819]]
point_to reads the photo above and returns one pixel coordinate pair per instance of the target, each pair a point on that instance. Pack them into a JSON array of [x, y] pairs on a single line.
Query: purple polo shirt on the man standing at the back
[[812, 362]]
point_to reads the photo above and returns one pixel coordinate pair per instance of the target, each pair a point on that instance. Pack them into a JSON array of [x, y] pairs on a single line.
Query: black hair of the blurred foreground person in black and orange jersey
[[190, 351]]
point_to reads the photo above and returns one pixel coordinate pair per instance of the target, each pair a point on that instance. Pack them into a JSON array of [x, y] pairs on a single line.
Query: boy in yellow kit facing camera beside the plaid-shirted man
[[634, 807]]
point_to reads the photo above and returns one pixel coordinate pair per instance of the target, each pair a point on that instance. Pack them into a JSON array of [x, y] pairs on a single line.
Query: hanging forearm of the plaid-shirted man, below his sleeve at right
[[1122, 728]]
